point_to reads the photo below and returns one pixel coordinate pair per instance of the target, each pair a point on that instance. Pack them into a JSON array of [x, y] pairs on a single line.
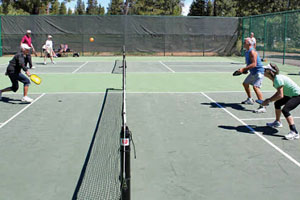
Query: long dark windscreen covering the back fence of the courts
[[157, 35]]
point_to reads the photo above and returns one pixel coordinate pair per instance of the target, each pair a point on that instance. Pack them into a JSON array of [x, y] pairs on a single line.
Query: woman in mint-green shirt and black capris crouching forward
[[287, 95]]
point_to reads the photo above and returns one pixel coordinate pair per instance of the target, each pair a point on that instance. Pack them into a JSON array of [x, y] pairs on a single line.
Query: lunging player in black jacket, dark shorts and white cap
[[14, 73]]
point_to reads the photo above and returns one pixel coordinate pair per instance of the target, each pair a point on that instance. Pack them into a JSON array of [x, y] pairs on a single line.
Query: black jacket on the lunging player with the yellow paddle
[[16, 64]]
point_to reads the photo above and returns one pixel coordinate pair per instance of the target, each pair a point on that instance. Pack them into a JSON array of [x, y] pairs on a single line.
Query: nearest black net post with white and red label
[[125, 163]]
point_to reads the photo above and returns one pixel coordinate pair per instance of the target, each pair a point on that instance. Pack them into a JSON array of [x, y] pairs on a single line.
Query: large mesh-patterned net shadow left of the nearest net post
[[100, 175]]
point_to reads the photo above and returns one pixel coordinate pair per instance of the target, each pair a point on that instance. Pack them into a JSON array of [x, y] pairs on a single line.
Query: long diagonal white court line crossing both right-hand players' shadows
[[256, 133]]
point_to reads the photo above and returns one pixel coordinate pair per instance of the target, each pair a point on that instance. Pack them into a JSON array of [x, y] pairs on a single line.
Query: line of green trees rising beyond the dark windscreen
[[232, 8]]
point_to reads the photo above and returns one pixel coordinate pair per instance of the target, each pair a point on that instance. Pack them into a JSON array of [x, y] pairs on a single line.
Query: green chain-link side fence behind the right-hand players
[[277, 35]]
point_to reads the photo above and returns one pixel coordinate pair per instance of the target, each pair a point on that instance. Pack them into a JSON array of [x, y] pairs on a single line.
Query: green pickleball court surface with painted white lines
[[193, 138]]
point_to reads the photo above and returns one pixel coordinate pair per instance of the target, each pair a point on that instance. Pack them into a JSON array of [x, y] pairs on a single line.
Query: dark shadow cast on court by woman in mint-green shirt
[[265, 130]]
